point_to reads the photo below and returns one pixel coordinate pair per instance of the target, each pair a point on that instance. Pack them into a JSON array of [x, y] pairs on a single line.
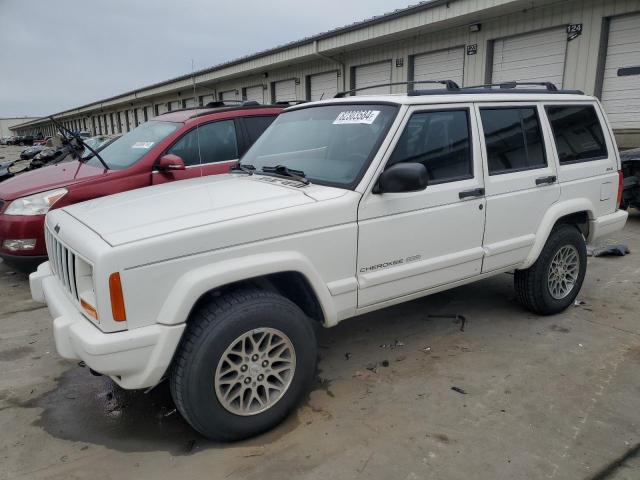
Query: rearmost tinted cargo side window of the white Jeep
[[577, 133]]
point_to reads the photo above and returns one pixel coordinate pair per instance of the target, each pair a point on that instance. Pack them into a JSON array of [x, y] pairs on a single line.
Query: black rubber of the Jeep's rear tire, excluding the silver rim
[[532, 284]]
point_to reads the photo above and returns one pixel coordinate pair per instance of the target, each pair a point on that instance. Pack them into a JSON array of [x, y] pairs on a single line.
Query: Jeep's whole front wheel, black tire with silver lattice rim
[[247, 358]]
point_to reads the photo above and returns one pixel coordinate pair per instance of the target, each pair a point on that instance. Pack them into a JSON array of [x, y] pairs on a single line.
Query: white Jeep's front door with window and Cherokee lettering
[[411, 242]]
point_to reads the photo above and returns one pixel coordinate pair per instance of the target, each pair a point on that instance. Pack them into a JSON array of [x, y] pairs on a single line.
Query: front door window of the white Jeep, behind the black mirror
[[440, 141]]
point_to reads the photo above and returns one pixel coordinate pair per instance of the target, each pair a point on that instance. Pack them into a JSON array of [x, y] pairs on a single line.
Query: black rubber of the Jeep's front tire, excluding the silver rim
[[213, 328]]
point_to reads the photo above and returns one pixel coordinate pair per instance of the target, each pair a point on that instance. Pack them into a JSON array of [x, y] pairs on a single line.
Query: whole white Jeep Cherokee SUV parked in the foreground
[[342, 207]]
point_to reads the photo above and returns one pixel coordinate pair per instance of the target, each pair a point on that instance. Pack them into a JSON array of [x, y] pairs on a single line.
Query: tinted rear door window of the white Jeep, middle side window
[[513, 138]]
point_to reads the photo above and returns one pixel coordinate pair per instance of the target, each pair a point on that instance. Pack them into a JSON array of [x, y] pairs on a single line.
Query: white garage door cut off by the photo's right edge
[[621, 83]]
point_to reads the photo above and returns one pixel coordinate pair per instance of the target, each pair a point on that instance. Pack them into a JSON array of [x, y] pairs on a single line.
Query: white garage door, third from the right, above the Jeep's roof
[[442, 65]]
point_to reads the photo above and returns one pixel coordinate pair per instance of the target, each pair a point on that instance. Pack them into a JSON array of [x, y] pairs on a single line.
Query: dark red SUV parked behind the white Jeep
[[174, 146]]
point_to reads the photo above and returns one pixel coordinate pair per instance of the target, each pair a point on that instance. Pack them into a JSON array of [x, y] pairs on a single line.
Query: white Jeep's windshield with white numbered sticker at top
[[331, 144]]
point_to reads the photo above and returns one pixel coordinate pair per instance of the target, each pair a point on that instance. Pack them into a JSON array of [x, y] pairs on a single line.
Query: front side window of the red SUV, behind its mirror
[[211, 142]]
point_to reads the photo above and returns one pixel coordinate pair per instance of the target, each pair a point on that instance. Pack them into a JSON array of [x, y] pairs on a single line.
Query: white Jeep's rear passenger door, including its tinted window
[[520, 180]]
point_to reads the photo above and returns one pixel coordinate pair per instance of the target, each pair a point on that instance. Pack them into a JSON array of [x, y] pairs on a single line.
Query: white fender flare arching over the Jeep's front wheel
[[191, 286]]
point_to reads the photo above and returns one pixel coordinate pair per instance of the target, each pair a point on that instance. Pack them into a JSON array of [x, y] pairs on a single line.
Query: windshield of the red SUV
[[132, 146]]
